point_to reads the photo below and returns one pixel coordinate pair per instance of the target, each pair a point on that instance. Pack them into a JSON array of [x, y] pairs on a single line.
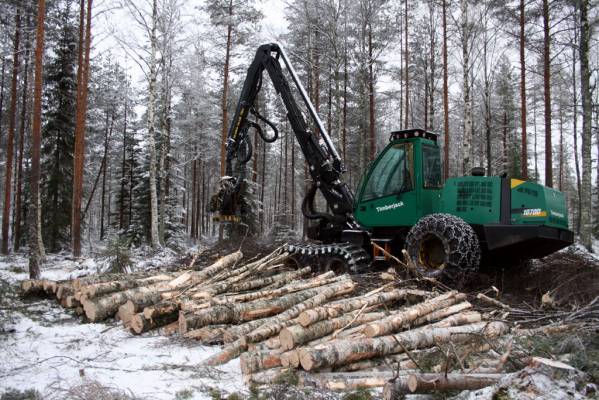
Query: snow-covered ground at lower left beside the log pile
[[46, 348]]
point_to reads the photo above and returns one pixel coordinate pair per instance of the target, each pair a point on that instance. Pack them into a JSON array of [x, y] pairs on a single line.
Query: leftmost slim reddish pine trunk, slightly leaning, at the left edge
[[12, 118]]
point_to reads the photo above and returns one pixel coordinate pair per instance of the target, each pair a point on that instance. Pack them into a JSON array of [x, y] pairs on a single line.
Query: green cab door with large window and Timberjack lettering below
[[388, 196]]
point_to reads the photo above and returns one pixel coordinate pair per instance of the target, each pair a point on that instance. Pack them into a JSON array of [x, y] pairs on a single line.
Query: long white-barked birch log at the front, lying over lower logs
[[344, 351]]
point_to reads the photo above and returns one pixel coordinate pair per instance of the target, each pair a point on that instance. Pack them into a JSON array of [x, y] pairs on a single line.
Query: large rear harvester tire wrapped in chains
[[444, 246]]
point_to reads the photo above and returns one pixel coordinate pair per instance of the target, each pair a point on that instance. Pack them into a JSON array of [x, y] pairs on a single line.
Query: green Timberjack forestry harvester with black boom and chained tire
[[448, 229]]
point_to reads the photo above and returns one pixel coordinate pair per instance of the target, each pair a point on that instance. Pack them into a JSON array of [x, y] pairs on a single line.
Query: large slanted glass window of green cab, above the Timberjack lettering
[[392, 173]]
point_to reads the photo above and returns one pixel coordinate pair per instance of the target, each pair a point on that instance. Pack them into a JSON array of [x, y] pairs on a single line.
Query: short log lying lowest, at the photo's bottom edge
[[425, 383]]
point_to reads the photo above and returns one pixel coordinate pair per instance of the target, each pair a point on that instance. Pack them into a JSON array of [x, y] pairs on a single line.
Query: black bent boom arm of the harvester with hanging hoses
[[323, 160]]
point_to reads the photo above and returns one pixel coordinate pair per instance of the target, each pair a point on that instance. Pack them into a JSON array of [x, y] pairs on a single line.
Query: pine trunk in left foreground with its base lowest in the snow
[[35, 250]]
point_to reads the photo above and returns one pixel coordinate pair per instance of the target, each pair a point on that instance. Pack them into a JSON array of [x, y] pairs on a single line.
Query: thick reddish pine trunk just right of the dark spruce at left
[[81, 111]]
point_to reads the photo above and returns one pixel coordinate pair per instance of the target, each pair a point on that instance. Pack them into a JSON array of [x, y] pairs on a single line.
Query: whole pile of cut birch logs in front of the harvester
[[281, 319]]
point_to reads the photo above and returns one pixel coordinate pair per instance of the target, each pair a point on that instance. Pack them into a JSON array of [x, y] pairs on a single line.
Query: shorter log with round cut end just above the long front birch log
[[297, 335]]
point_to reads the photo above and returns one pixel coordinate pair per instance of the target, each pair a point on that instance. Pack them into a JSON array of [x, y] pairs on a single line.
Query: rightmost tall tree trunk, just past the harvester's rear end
[[585, 75]]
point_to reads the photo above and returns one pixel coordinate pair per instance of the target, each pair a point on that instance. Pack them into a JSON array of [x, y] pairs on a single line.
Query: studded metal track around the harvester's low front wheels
[[355, 257]]
